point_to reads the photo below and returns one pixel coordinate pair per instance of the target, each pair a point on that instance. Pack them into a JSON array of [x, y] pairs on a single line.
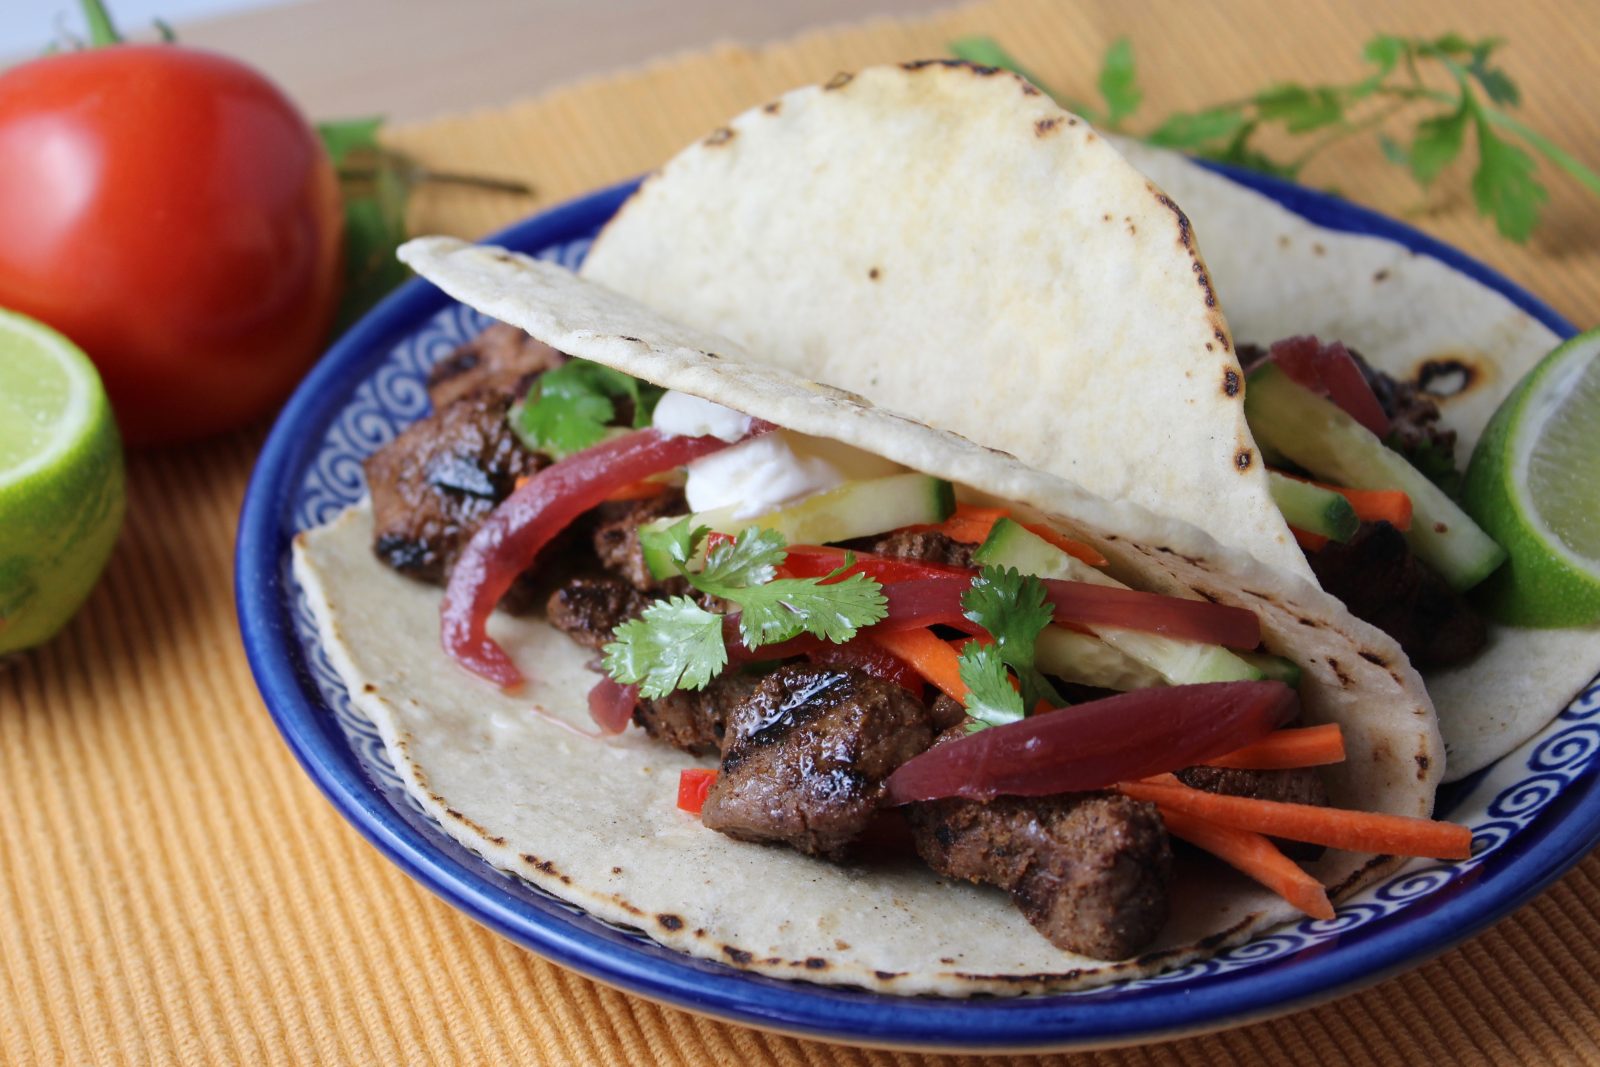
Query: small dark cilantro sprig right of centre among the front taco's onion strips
[[1015, 610]]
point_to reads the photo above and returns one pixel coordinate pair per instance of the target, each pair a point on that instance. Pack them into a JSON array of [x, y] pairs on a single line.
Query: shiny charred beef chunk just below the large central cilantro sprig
[[806, 757]]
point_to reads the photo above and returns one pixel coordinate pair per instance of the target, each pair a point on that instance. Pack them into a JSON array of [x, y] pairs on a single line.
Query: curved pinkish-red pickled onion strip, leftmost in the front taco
[[529, 519]]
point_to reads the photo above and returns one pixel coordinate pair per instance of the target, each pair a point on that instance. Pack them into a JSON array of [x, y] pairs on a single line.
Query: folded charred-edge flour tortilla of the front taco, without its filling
[[594, 821]]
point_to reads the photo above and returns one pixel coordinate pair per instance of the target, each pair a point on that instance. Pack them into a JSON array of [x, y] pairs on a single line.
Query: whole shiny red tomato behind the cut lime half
[[174, 214]]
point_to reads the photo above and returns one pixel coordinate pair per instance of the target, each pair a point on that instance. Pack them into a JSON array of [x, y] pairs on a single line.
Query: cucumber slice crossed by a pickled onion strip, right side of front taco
[[1177, 661]]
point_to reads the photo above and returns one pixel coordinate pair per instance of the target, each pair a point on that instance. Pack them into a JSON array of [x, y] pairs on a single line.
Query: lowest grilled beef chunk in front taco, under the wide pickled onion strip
[[1089, 871]]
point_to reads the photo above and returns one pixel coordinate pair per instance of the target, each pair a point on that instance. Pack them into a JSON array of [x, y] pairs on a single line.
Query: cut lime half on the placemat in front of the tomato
[[62, 482]]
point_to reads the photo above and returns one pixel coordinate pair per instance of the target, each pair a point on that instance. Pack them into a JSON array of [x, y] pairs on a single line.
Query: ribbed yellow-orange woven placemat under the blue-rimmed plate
[[175, 890]]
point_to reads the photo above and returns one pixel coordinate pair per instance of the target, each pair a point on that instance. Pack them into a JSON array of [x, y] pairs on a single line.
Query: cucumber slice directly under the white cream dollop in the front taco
[[855, 510]]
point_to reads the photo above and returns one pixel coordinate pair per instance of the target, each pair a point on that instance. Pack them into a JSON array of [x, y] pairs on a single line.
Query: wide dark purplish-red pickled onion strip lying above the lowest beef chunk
[[1098, 745]]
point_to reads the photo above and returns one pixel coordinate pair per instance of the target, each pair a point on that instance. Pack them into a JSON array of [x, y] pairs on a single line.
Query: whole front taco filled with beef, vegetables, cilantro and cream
[[817, 732]]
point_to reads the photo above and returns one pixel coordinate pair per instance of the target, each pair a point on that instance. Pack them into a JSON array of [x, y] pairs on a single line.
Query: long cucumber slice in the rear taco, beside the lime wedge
[[1322, 439]]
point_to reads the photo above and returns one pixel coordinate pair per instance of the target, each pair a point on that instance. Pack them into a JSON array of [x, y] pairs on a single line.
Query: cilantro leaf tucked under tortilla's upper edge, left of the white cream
[[570, 409]]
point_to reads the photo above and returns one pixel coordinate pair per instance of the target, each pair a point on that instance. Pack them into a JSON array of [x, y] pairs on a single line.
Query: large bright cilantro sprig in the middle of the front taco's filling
[[678, 644]]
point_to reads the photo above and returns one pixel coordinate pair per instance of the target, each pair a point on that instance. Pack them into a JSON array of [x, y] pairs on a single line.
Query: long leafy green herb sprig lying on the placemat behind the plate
[[1446, 87]]
